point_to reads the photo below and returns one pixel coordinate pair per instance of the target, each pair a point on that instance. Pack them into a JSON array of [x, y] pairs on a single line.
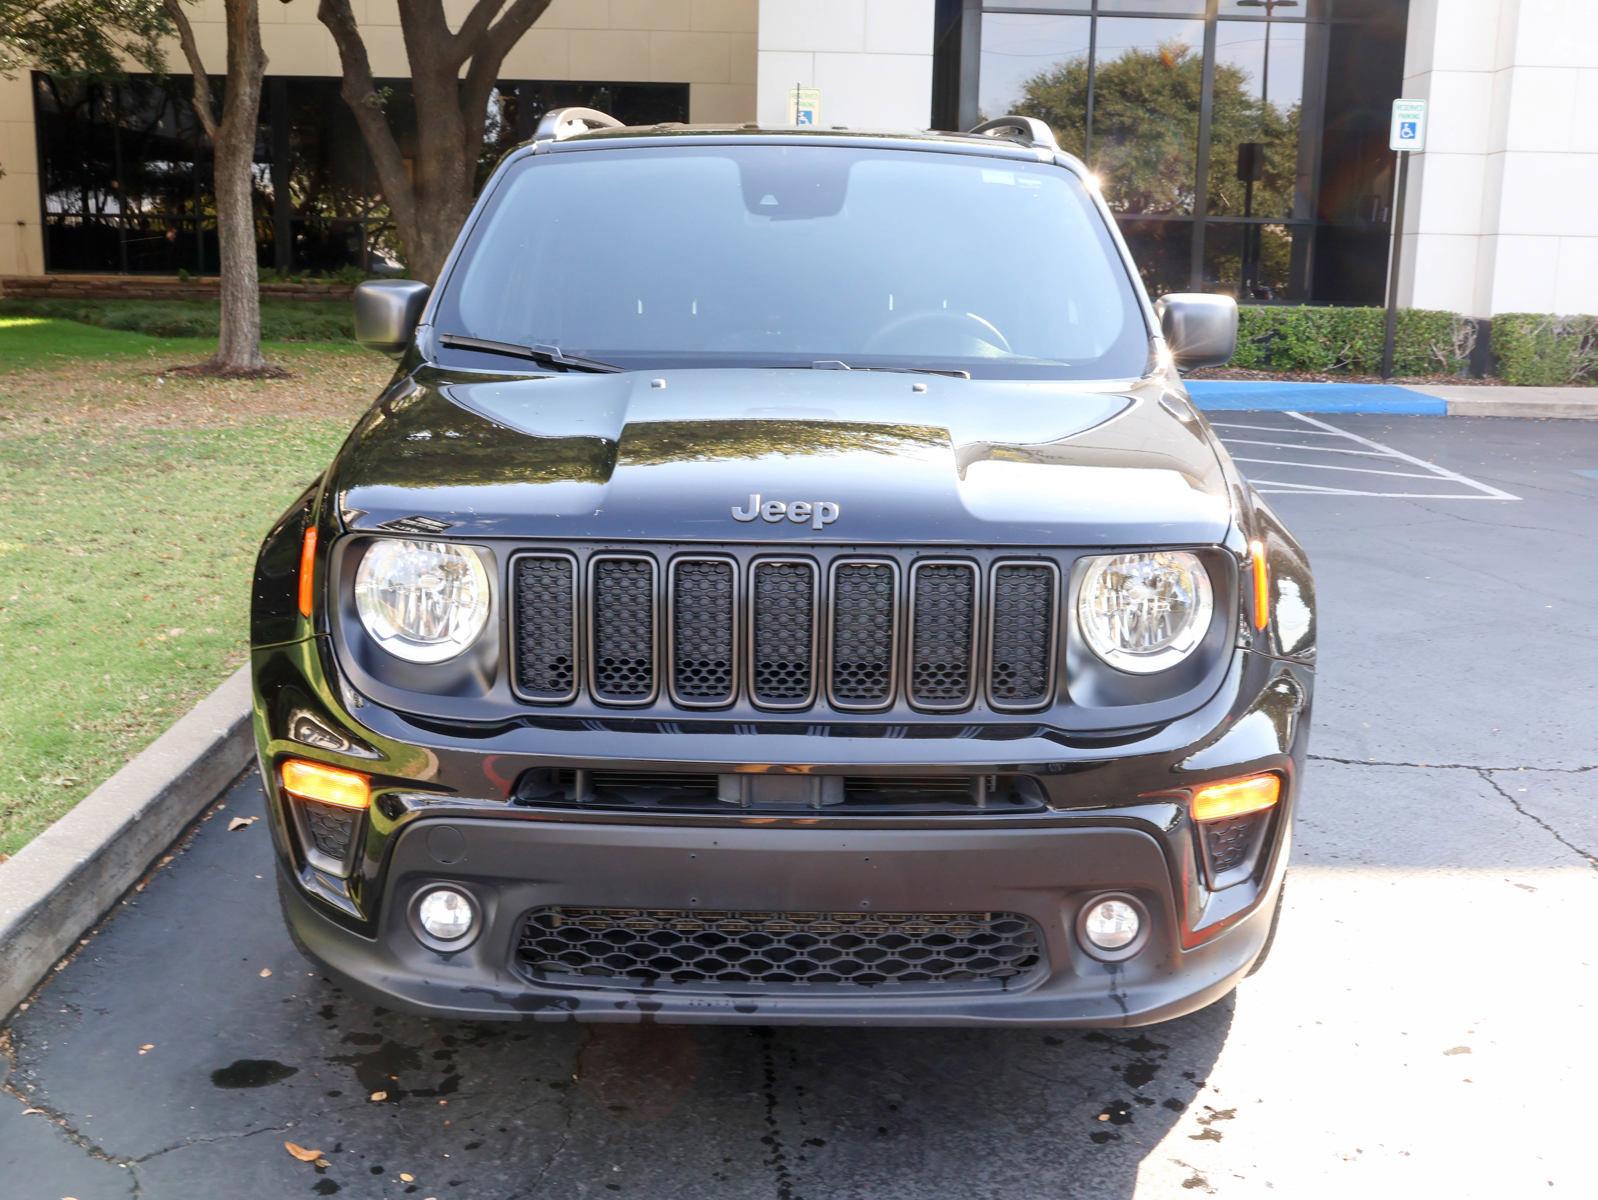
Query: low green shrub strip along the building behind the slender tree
[[282, 320]]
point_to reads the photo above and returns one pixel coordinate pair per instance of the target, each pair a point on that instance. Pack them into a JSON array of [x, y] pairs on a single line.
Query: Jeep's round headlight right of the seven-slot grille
[[1145, 613]]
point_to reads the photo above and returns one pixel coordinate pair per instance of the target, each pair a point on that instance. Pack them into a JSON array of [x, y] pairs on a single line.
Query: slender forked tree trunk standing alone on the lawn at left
[[233, 170]]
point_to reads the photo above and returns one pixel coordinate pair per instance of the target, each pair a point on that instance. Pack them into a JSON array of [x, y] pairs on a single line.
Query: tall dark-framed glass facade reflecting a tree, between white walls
[[1241, 143]]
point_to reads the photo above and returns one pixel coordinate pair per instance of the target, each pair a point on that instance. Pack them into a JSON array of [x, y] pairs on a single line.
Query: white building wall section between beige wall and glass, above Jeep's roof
[[872, 62]]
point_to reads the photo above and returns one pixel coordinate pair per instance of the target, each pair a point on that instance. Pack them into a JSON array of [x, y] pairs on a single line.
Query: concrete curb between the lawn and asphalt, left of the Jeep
[[62, 883]]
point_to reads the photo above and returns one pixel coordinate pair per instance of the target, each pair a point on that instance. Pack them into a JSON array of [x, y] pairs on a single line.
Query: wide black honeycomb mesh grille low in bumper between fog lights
[[840, 952]]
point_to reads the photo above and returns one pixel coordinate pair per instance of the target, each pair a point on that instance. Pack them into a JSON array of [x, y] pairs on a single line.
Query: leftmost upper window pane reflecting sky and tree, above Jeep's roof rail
[[1038, 66]]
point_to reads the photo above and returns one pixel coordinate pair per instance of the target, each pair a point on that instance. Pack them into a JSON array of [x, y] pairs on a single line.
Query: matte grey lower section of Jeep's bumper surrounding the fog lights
[[1046, 875]]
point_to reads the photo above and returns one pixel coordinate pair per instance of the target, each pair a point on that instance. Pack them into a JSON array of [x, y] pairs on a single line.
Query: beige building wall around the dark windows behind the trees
[[706, 44]]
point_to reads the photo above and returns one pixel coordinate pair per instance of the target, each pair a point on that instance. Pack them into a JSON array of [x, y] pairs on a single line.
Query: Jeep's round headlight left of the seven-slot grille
[[423, 602]]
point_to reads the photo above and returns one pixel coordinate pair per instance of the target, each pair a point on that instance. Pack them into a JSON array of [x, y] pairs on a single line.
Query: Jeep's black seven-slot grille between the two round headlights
[[785, 634]]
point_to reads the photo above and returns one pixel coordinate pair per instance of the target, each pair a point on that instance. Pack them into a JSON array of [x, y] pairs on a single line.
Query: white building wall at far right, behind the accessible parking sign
[[1501, 209]]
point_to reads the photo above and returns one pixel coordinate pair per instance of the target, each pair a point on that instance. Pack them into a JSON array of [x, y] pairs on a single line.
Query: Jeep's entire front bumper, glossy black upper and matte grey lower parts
[[1116, 824]]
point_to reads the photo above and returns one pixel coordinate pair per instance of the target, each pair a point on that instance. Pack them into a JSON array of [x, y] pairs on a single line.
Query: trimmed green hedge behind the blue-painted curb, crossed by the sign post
[[1350, 341]]
